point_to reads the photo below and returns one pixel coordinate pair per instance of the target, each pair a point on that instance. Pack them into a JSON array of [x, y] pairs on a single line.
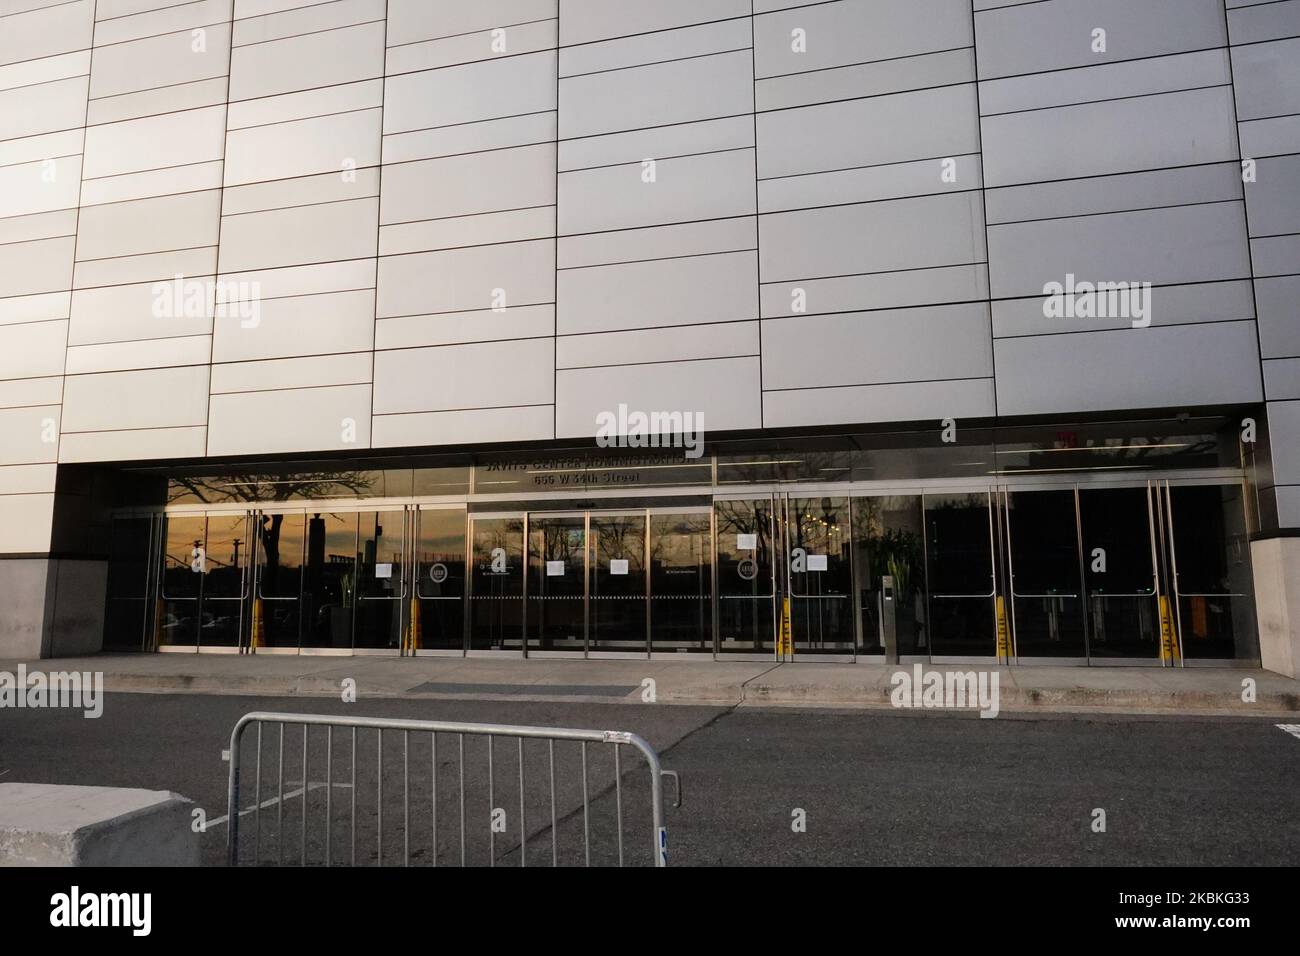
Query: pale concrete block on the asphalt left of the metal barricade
[[50, 825]]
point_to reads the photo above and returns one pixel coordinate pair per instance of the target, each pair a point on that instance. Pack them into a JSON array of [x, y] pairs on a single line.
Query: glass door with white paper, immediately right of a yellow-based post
[[820, 576]]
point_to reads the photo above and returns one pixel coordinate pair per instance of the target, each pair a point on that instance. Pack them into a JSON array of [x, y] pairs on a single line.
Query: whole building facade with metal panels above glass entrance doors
[[829, 331]]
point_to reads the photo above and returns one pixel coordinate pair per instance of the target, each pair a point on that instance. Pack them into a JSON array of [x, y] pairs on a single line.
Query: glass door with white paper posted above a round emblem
[[747, 577]]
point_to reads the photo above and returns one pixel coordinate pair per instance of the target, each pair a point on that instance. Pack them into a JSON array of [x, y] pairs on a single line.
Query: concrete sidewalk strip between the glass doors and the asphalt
[[1194, 691]]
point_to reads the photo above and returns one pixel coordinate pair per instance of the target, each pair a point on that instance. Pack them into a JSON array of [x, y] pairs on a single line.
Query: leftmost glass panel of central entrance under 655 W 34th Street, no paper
[[496, 583]]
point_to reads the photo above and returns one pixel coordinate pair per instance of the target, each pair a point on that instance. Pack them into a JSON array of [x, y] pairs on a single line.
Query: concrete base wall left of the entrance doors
[[53, 608]]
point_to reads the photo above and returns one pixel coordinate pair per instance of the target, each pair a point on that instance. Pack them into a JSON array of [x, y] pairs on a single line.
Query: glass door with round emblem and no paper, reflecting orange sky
[[440, 579]]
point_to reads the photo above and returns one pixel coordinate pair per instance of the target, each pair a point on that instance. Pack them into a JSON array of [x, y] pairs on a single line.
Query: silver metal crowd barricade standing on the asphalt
[[460, 733]]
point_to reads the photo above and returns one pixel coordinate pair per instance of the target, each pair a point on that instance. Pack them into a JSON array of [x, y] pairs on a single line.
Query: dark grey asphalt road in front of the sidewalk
[[876, 789]]
